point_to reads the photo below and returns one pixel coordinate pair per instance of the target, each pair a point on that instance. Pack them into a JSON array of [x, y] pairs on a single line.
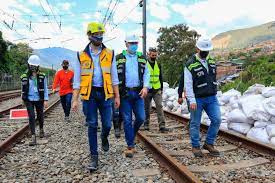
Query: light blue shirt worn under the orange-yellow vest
[[97, 72]]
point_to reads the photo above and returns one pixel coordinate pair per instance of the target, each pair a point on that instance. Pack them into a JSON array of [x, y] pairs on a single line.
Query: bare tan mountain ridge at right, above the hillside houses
[[241, 38]]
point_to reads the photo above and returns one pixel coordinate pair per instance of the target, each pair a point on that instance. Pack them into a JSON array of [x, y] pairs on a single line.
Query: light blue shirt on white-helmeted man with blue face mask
[[132, 77]]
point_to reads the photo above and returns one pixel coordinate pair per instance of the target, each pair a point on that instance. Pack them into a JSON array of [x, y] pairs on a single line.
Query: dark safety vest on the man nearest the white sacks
[[204, 82]]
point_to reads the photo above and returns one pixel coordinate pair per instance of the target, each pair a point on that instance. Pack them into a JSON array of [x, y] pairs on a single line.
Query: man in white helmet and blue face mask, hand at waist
[[134, 82]]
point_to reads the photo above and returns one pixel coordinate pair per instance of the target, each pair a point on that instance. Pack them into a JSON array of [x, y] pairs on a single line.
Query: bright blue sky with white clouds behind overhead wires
[[25, 20]]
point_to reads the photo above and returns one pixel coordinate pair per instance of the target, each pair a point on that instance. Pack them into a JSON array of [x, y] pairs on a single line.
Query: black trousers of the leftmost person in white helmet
[[39, 106]]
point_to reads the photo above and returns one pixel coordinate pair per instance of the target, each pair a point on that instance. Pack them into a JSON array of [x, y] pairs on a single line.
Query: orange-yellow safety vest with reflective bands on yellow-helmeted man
[[87, 68]]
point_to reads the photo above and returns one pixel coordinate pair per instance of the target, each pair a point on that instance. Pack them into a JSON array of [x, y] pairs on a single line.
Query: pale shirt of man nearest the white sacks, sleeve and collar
[[188, 81]]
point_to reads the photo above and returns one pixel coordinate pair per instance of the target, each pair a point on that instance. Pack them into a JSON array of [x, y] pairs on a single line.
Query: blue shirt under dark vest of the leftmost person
[[33, 94]]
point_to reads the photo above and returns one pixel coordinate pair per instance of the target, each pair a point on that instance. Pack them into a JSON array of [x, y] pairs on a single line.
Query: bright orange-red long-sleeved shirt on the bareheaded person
[[64, 79]]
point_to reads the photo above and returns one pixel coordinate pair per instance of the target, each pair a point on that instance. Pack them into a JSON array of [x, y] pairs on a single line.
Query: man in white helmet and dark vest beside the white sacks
[[201, 89]]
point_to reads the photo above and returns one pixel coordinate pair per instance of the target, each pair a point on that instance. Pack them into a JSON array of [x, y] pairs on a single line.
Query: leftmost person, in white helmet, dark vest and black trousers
[[35, 95]]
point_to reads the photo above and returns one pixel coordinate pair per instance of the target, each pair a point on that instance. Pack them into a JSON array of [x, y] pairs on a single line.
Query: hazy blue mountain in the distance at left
[[54, 56]]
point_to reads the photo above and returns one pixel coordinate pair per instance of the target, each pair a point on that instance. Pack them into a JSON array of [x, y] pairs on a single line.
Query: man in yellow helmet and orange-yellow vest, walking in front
[[96, 80]]
